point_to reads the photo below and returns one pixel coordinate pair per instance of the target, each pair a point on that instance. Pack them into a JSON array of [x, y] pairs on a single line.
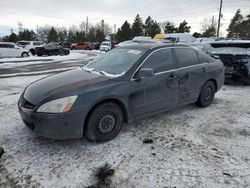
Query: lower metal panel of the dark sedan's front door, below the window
[[154, 94]]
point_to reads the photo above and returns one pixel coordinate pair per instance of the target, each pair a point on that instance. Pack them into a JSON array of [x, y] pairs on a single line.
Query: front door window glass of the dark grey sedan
[[160, 61]]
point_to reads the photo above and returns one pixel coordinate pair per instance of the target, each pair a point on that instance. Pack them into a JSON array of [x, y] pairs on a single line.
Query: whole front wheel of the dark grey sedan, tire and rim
[[104, 123]]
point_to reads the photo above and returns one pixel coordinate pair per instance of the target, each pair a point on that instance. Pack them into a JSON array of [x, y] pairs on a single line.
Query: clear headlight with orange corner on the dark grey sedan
[[58, 105]]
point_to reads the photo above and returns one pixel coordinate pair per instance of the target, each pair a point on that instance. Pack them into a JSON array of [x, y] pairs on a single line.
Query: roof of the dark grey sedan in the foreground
[[148, 46]]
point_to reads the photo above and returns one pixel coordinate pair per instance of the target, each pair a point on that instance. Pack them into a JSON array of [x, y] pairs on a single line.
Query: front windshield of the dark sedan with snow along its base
[[115, 62]]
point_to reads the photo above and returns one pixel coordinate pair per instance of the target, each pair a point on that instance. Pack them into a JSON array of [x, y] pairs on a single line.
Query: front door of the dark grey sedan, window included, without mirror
[[160, 91]]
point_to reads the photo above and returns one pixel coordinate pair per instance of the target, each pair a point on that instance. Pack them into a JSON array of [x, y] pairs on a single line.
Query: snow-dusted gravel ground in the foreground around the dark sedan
[[192, 147]]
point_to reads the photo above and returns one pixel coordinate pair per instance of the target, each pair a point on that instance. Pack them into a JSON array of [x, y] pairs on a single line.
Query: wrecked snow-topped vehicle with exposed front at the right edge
[[235, 55]]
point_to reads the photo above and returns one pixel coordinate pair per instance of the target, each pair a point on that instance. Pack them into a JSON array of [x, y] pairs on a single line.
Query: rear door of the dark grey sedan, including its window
[[191, 74]]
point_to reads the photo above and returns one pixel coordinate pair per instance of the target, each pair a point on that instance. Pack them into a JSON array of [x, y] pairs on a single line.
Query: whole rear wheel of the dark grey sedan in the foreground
[[207, 94]]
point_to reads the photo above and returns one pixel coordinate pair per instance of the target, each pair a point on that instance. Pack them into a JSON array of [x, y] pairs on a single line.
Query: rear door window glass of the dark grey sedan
[[186, 57]]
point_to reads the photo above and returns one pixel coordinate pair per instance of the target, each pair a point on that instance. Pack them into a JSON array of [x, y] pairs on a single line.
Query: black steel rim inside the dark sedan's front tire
[[106, 123]]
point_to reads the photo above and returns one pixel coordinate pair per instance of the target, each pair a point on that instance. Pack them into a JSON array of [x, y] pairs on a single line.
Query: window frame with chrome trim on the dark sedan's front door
[[138, 68]]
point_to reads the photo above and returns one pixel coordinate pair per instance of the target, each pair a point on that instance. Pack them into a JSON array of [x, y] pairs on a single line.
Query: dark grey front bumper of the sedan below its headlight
[[59, 126]]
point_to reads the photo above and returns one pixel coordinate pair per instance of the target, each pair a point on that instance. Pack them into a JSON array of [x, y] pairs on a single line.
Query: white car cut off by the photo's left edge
[[9, 49]]
